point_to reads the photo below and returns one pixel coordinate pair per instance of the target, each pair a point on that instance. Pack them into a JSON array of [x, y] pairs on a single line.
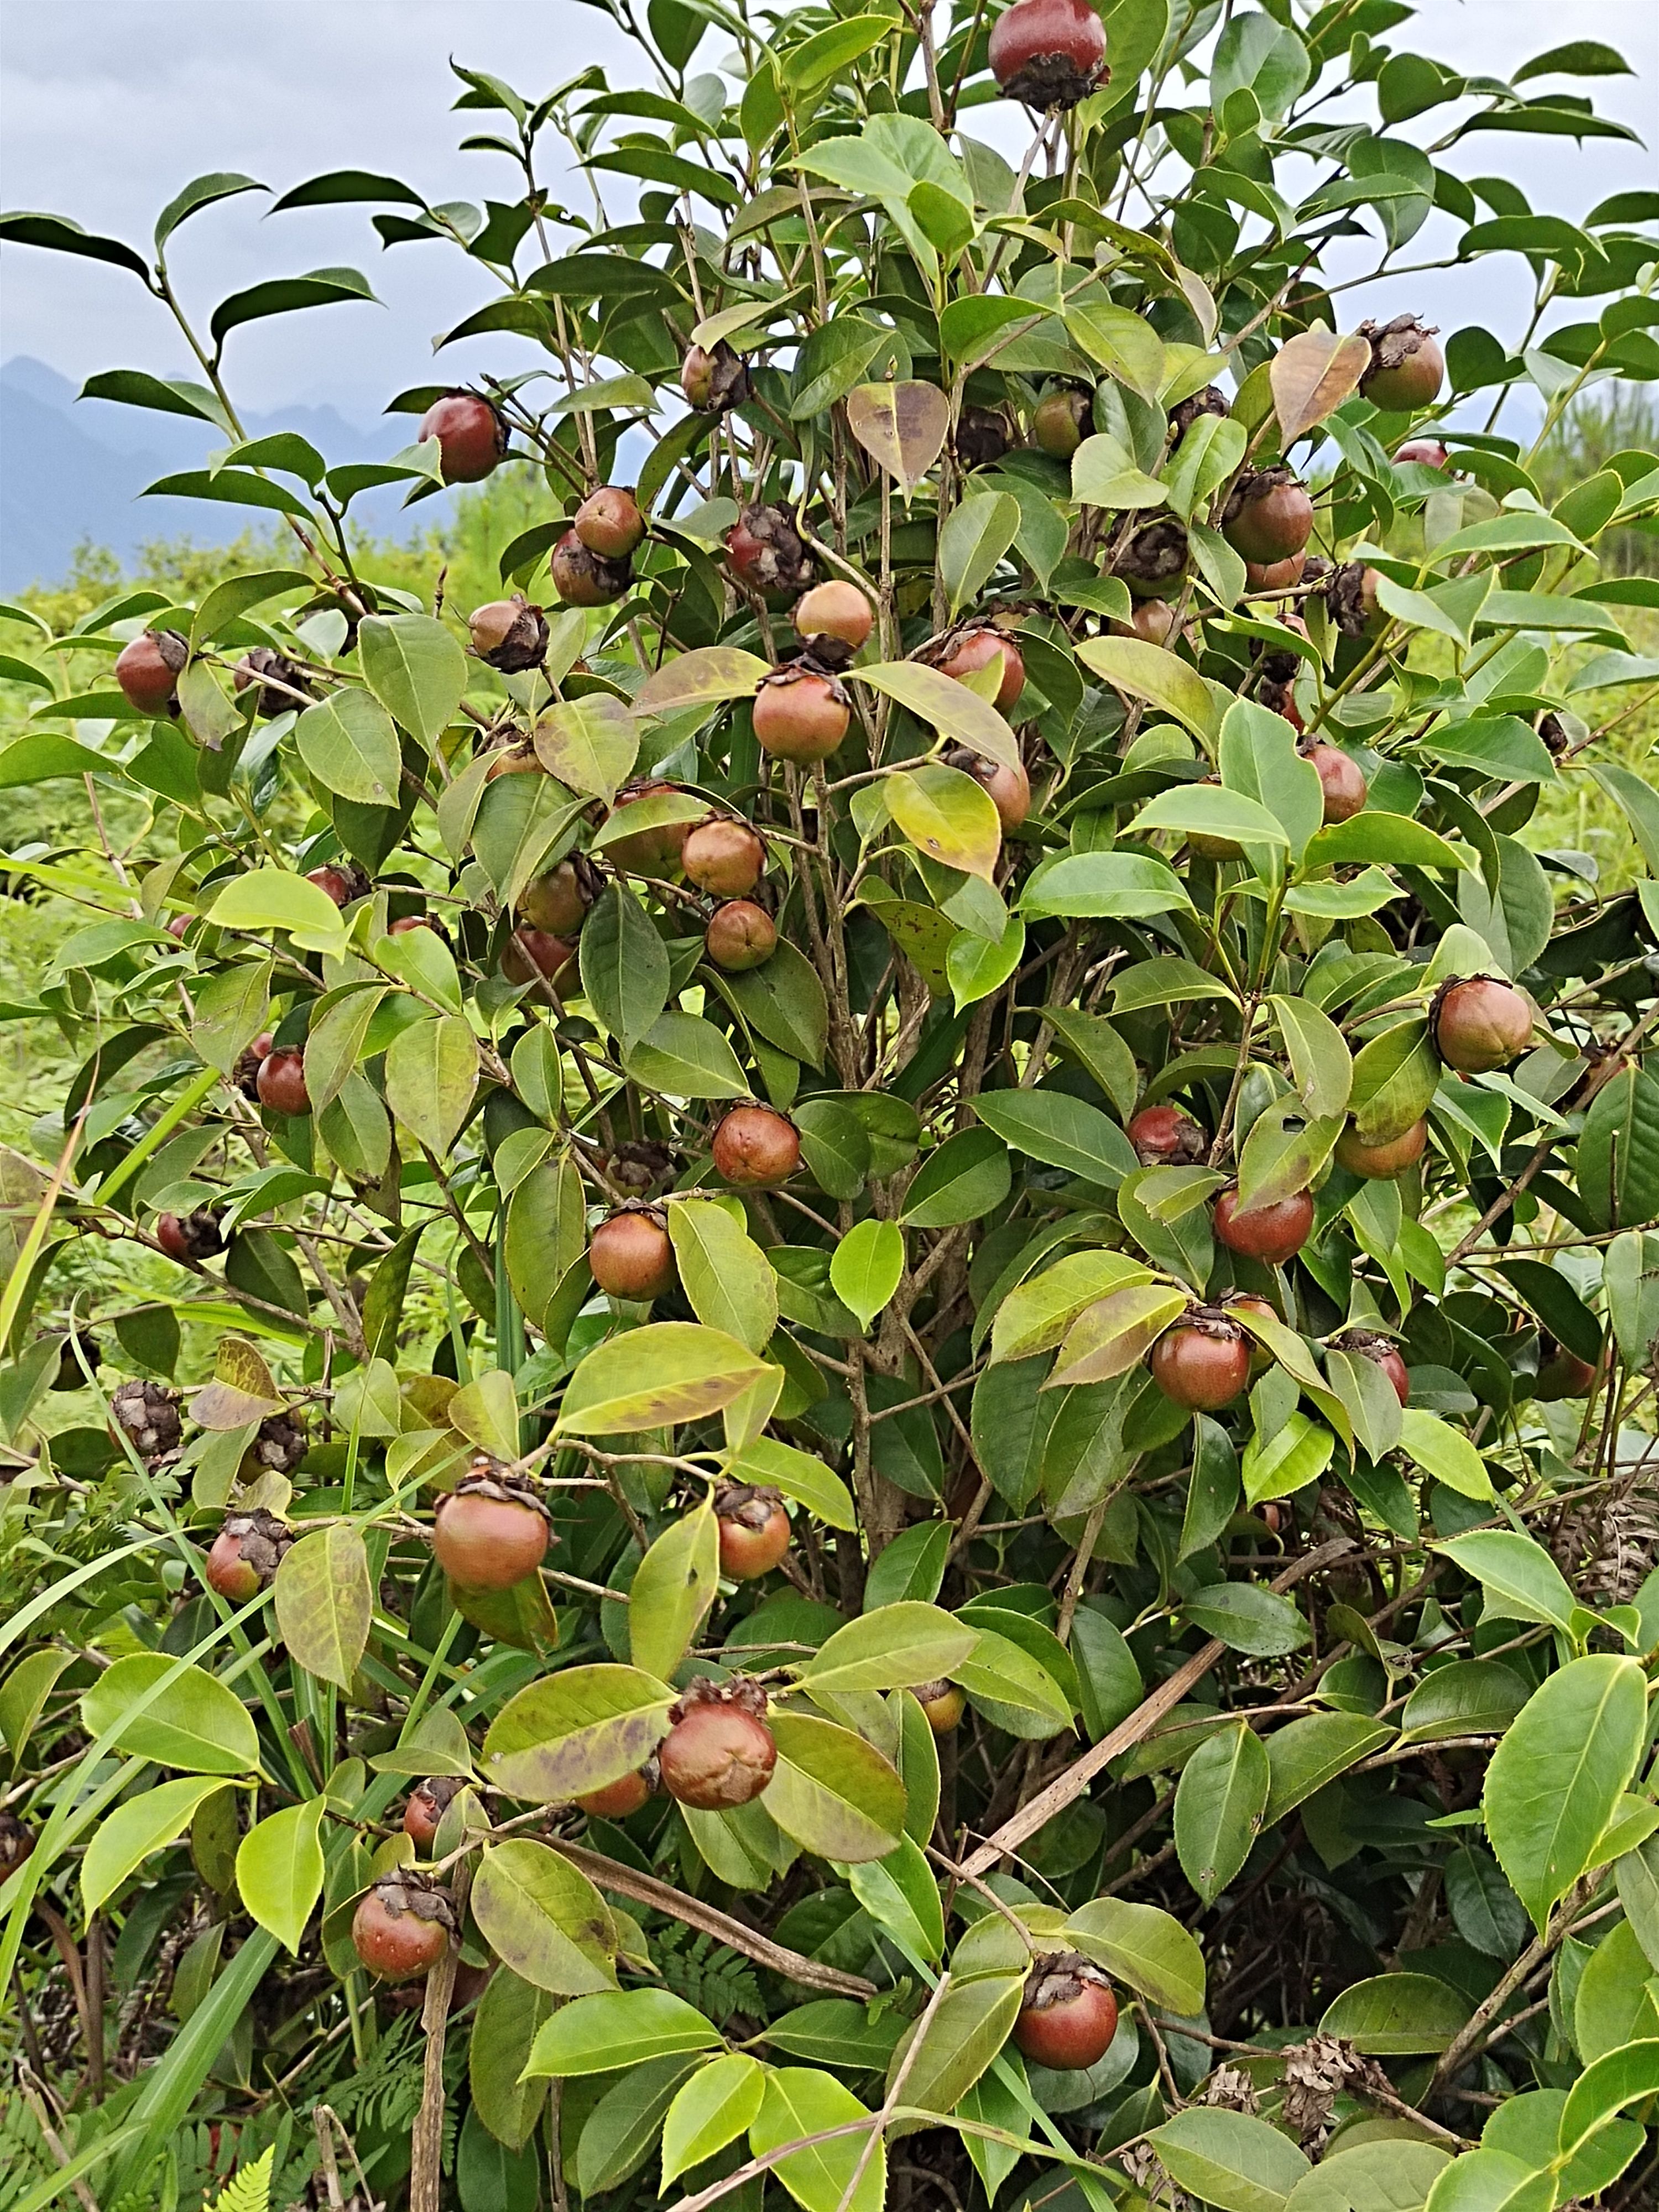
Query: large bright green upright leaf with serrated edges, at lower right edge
[[1558, 1775]]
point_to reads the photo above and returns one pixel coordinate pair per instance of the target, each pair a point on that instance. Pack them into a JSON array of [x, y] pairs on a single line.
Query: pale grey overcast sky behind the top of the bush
[[109, 105]]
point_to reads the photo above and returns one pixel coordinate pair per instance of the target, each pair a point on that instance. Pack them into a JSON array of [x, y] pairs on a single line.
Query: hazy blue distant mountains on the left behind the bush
[[74, 472]]
